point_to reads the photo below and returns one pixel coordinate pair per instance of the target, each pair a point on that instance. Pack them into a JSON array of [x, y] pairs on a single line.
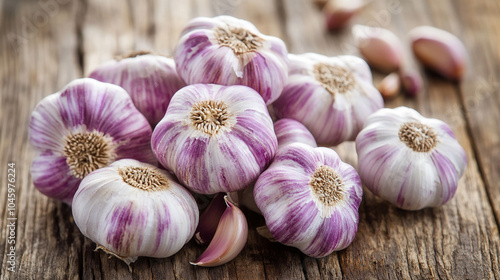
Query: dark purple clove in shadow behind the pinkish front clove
[[210, 219]]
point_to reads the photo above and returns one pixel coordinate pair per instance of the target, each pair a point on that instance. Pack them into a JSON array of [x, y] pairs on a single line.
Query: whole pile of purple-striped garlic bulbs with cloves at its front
[[128, 147]]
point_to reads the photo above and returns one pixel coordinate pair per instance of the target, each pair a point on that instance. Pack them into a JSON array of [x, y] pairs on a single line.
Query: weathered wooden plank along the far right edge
[[479, 92]]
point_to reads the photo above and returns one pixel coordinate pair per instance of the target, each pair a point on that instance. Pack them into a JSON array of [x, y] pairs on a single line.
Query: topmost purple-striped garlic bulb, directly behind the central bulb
[[229, 51]]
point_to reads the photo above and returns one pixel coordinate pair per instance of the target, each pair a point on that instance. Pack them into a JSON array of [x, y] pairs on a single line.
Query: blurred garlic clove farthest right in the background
[[440, 51]]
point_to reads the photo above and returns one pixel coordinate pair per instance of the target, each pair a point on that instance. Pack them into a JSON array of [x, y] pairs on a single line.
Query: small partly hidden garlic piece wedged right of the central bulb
[[291, 131]]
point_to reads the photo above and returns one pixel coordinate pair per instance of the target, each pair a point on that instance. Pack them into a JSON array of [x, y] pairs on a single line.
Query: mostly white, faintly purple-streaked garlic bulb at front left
[[132, 209]]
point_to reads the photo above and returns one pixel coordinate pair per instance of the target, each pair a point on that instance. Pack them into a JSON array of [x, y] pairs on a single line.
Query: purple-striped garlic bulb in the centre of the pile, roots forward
[[215, 138]]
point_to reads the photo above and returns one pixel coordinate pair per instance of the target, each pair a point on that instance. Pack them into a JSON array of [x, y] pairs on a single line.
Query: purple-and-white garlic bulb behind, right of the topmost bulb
[[331, 96]]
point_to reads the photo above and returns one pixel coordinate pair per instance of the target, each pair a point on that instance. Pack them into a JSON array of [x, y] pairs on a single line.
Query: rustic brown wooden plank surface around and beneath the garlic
[[44, 44]]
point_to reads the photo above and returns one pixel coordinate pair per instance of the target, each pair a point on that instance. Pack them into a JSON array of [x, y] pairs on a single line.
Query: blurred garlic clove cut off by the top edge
[[339, 12]]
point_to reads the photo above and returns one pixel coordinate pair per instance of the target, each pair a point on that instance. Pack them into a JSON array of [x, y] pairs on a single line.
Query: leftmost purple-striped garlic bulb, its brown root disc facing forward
[[85, 126]]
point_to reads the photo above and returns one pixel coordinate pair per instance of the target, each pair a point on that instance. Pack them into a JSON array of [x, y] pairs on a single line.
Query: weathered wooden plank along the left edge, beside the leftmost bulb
[[38, 55]]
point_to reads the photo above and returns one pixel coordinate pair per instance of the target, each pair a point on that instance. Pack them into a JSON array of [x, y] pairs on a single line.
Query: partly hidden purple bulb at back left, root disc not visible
[[151, 81]]
